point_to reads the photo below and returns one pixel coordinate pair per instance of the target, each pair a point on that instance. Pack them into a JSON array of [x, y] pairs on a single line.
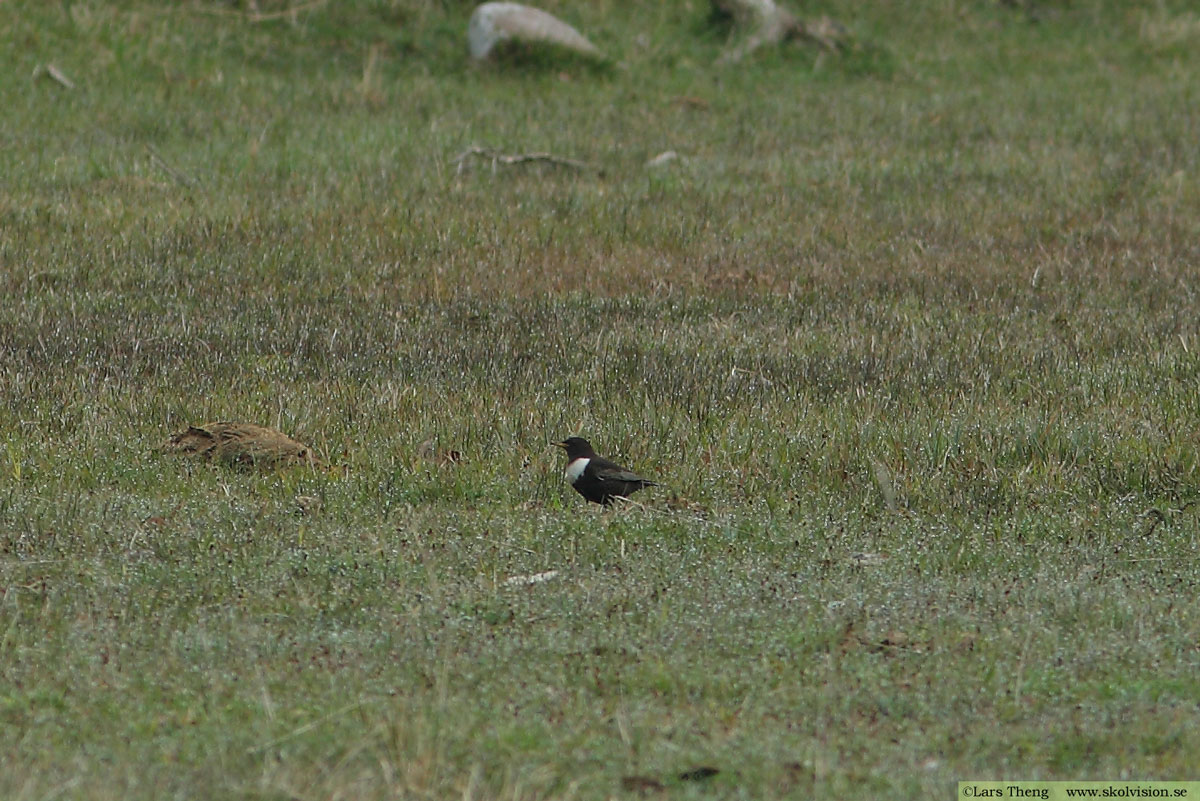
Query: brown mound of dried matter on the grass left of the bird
[[243, 445]]
